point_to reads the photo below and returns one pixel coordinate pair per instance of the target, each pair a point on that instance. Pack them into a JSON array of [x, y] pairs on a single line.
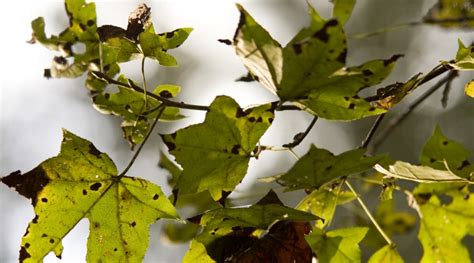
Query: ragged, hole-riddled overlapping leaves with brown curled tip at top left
[[106, 46]]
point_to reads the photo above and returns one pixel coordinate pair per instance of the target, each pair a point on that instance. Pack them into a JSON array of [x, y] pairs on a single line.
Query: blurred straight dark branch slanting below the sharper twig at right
[[395, 122]]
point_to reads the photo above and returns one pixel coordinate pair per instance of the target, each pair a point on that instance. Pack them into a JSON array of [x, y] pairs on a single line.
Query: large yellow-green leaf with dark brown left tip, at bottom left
[[81, 182]]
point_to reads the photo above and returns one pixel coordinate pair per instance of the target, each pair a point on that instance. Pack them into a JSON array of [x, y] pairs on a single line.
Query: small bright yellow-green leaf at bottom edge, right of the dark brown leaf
[[339, 245]]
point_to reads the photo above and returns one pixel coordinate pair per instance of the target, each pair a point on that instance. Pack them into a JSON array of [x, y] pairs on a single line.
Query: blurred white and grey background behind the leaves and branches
[[33, 109]]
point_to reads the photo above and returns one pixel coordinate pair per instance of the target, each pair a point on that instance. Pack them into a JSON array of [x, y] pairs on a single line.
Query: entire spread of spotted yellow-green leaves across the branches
[[310, 72]]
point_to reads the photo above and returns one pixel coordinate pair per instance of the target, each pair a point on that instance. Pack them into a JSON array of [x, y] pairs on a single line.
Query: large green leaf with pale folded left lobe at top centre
[[310, 71]]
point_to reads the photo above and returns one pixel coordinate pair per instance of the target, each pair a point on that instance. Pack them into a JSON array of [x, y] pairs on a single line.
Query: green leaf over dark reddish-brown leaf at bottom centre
[[233, 232]]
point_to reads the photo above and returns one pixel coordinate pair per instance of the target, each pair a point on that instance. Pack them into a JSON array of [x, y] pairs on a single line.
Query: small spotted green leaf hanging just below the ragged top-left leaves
[[136, 111]]
